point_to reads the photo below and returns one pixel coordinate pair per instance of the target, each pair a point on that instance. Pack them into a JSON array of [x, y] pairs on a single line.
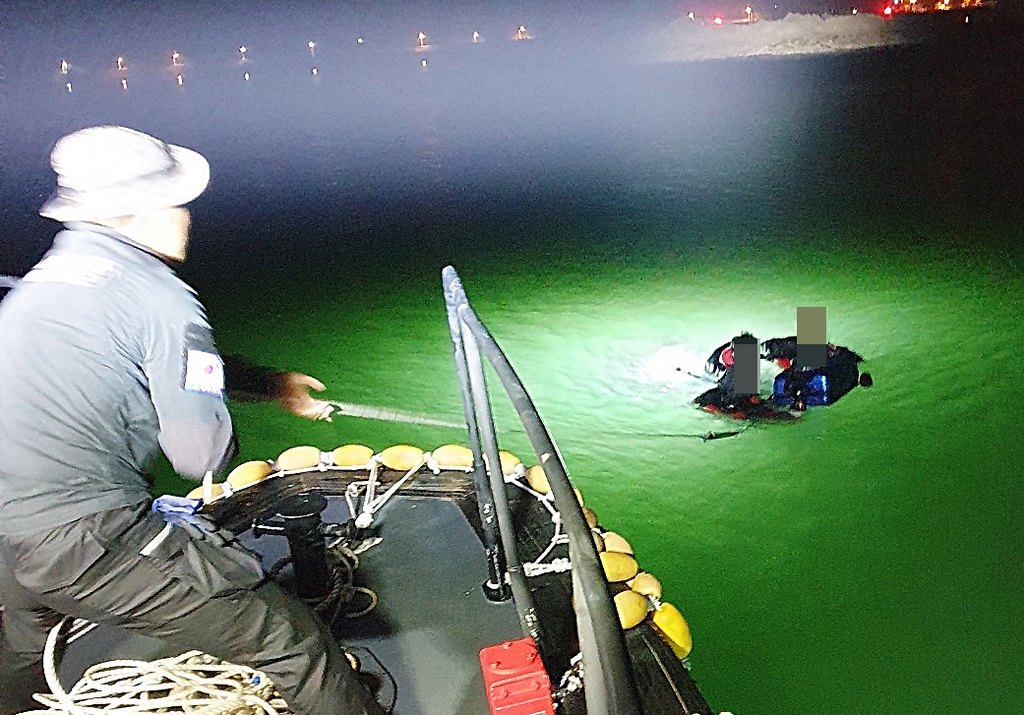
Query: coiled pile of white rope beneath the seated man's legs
[[194, 684]]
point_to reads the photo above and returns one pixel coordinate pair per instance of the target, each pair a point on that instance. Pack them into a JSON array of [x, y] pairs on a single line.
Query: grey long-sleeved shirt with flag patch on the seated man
[[106, 359]]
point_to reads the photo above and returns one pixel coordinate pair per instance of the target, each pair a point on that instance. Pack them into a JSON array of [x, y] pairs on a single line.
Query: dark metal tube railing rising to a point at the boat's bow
[[610, 688]]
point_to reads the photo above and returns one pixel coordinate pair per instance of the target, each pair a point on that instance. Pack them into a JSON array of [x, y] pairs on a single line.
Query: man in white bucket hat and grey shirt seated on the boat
[[108, 359]]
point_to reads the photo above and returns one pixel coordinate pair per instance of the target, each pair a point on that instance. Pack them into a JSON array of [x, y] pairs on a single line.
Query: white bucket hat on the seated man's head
[[107, 173]]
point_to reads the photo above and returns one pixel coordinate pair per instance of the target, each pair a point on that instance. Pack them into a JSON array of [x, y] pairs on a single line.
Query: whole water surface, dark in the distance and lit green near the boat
[[601, 208]]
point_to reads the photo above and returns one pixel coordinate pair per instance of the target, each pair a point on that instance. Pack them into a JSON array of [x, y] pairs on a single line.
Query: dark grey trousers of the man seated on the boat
[[192, 594]]
